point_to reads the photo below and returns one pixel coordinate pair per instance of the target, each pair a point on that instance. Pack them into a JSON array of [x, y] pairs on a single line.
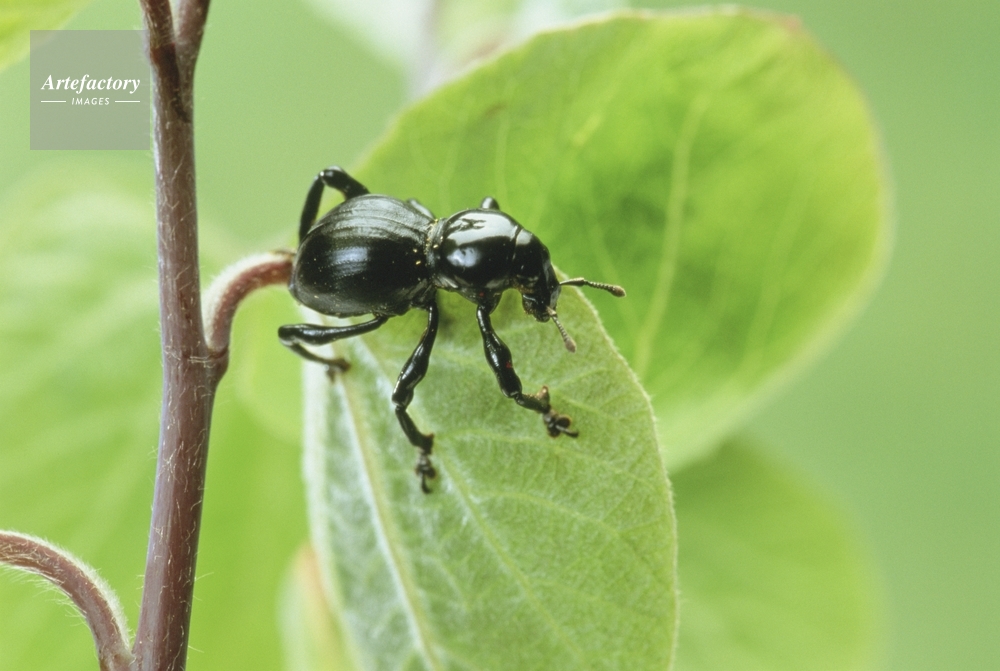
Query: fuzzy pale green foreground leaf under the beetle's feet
[[531, 552]]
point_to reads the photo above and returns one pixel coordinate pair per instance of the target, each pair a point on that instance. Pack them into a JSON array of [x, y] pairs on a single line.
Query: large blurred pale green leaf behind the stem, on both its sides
[[80, 390]]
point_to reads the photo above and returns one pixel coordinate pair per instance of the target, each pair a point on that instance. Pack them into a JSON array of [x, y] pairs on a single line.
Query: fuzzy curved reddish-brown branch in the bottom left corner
[[91, 595]]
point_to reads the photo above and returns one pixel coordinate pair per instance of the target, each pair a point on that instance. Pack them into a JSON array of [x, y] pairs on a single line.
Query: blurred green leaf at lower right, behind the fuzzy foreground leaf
[[771, 576]]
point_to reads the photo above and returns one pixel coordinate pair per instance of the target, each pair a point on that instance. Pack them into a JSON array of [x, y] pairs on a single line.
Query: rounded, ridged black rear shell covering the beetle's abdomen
[[368, 255]]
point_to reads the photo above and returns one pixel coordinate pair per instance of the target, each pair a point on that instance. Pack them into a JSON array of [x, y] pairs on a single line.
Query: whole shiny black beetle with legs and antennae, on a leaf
[[377, 255]]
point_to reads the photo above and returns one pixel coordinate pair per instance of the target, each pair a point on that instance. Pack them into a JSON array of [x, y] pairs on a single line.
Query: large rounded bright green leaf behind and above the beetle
[[719, 165]]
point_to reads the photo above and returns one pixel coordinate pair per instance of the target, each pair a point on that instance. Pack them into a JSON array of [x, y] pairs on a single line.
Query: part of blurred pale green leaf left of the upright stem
[[79, 393]]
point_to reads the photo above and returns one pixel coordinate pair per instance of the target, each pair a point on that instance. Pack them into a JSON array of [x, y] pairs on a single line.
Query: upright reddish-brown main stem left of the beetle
[[190, 374]]
